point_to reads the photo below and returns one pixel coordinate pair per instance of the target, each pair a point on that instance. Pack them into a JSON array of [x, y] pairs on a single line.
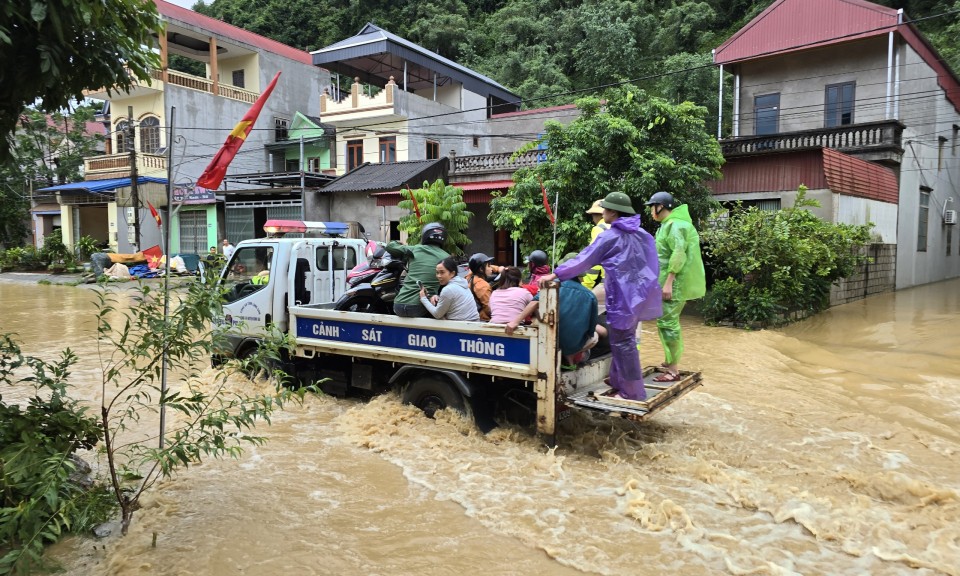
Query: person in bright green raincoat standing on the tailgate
[[682, 277]]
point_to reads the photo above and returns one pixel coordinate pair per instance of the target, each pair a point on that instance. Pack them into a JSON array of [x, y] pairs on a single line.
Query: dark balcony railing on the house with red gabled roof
[[881, 137]]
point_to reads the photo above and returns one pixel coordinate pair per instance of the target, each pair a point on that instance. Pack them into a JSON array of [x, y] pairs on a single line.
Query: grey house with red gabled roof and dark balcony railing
[[848, 98]]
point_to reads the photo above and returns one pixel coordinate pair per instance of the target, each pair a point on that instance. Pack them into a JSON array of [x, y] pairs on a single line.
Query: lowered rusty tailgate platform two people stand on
[[659, 395]]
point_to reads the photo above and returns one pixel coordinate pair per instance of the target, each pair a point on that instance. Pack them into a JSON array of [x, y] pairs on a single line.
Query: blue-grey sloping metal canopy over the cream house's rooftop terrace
[[374, 55]]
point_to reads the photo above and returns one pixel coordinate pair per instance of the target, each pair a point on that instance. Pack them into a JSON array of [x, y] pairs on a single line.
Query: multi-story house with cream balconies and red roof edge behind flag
[[237, 65]]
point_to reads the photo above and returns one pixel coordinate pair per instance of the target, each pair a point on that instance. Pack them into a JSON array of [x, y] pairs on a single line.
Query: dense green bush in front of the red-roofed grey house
[[771, 264]]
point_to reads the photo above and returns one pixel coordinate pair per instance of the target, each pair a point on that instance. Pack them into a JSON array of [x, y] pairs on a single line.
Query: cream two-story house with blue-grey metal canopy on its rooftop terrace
[[410, 115]]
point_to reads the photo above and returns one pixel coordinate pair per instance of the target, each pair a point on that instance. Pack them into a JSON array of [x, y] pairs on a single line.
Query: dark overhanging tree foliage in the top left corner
[[53, 50]]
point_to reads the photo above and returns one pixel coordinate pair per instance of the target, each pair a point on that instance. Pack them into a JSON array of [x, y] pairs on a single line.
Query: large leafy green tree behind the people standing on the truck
[[634, 144]]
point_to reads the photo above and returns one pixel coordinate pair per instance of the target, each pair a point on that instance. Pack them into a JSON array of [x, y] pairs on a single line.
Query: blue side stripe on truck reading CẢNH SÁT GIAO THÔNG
[[487, 347]]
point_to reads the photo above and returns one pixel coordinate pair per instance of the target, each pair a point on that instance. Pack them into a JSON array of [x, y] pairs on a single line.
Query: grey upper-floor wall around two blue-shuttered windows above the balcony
[[801, 79]]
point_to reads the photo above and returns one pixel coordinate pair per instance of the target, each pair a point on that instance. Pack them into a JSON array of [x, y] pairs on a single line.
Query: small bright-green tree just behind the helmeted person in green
[[441, 203]]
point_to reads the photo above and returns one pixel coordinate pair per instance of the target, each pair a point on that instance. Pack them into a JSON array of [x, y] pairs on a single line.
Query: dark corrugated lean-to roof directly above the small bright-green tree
[[389, 176]]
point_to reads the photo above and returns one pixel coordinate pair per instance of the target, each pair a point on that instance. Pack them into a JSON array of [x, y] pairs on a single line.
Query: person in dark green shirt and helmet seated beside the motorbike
[[422, 260]]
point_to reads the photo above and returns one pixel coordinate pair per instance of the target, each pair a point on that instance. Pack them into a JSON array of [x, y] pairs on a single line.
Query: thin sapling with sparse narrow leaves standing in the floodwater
[[212, 418]]
